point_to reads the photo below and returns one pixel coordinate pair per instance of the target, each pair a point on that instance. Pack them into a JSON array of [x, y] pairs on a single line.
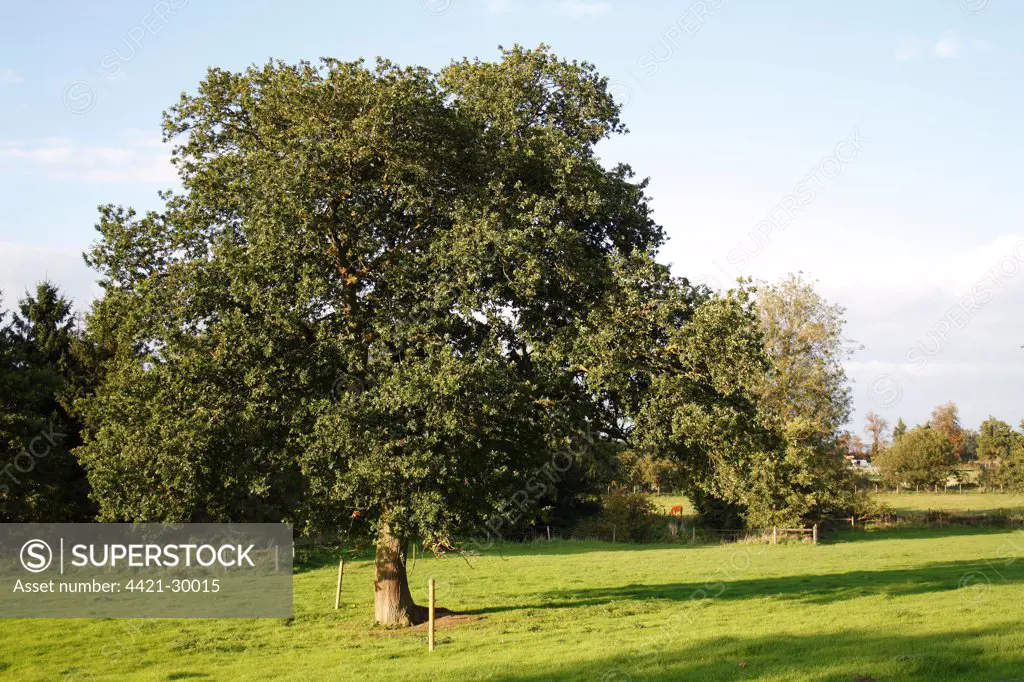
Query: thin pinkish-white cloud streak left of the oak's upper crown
[[139, 158]]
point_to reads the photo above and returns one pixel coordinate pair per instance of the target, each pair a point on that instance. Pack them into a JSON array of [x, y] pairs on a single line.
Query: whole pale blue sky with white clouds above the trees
[[893, 129]]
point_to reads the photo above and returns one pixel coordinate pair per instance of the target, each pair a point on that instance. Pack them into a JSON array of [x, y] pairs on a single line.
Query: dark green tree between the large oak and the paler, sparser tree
[[684, 368]]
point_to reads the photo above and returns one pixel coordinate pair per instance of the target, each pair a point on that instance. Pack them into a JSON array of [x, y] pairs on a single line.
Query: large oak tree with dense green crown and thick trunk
[[361, 313]]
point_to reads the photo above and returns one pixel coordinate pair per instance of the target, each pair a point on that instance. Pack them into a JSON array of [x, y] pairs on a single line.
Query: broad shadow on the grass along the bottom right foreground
[[674, 653]]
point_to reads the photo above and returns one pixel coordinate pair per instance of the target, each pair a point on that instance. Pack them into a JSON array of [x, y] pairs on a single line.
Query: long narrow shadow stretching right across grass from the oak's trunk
[[974, 578]]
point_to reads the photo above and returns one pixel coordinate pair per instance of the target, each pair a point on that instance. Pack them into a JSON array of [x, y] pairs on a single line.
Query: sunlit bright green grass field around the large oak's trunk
[[894, 606]]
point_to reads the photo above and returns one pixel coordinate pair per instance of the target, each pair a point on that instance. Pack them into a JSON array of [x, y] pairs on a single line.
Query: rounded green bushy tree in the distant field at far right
[[922, 457]]
